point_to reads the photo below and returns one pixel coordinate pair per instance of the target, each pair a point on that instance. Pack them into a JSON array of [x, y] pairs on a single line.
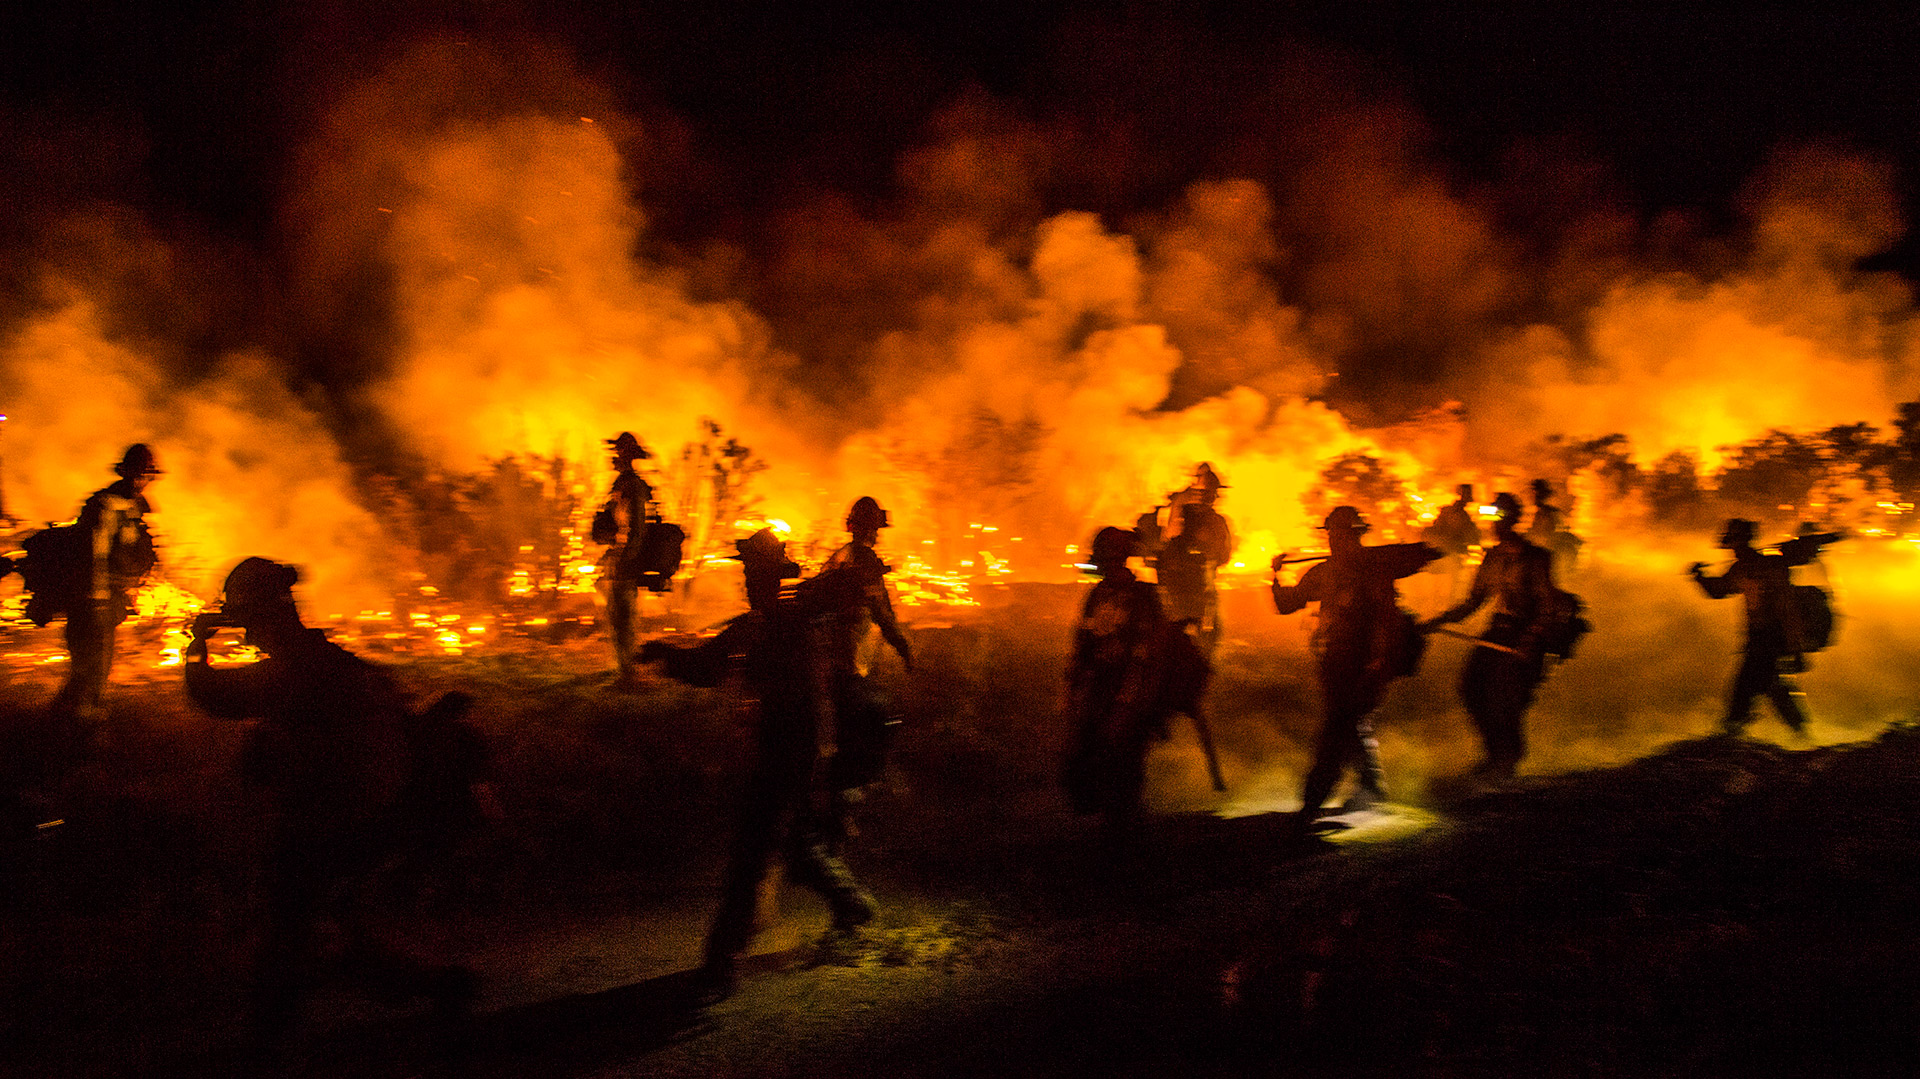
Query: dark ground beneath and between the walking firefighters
[[1648, 903]]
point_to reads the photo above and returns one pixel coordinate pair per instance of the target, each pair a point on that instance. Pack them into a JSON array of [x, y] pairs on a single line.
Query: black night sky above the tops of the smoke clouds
[[1683, 101]]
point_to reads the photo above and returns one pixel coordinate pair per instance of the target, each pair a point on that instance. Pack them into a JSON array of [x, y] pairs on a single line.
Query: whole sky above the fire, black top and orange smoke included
[[1019, 264]]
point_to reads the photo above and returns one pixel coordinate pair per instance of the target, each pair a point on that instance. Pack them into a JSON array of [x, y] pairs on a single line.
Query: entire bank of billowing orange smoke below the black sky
[[477, 270]]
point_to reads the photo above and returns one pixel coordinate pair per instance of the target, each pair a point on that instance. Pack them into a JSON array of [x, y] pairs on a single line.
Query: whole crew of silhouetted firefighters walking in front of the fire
[[364, 782]]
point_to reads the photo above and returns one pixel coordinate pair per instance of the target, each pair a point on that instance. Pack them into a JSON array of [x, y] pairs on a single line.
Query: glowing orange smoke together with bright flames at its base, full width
[[1034, 383]]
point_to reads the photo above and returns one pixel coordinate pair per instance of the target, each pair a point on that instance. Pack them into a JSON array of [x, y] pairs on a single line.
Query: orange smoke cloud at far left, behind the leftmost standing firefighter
[[249, 466]]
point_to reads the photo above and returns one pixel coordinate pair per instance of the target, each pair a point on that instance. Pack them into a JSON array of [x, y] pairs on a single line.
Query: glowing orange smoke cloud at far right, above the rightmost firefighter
[[1788, 337]]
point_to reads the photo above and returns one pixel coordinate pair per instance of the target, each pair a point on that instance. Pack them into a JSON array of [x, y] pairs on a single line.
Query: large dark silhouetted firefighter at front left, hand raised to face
[[343, 761]]
